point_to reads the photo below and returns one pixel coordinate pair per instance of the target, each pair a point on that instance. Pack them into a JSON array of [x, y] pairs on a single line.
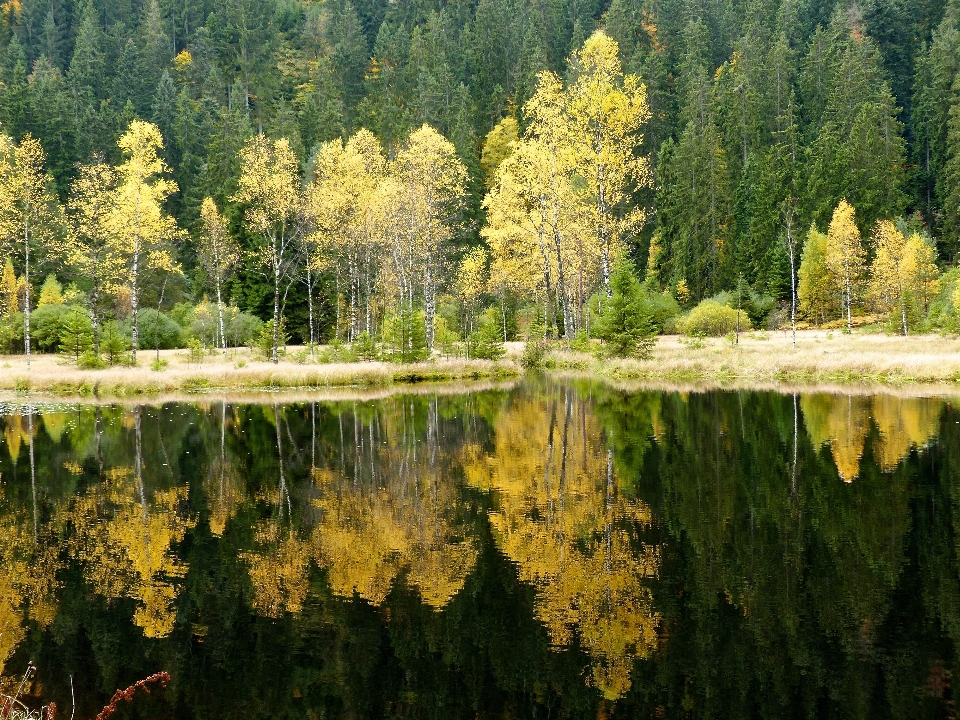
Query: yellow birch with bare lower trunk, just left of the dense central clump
[[276, 211]]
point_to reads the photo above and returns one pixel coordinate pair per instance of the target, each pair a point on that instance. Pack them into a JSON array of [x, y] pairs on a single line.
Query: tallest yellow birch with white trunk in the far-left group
[[142, 232]]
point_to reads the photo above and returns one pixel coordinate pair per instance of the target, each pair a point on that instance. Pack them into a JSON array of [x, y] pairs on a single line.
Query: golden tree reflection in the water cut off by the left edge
[[27, 580]]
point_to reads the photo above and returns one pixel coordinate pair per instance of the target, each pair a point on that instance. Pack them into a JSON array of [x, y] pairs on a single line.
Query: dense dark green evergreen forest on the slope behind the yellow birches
[[763, 115]]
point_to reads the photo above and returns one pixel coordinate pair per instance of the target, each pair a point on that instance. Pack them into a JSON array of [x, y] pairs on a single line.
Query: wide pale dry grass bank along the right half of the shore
[[820, 357]]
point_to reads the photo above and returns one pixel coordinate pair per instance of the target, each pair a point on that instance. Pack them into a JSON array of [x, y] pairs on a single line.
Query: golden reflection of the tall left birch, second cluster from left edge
[[124, 538]]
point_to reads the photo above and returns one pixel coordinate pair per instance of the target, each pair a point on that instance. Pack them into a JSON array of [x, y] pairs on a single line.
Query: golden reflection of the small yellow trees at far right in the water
[[844, 422]]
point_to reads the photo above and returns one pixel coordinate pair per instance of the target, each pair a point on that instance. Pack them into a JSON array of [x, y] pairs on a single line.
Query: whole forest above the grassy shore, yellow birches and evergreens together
[[421, 172]]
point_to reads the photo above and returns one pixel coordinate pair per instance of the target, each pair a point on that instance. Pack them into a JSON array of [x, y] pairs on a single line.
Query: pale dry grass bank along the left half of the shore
[[53, 375]]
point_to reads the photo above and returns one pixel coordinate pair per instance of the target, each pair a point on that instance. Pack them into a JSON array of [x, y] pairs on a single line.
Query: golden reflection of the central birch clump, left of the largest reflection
[[403, 515]]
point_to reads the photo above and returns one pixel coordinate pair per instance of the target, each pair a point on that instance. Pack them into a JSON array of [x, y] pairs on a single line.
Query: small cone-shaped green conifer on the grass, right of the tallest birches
[[625, 324]]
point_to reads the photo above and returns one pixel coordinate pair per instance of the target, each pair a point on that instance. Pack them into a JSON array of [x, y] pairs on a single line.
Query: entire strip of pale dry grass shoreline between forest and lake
[[822, 360]]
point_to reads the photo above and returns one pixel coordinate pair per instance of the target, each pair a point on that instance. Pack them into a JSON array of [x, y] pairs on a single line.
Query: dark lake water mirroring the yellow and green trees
[[561, 550]]
